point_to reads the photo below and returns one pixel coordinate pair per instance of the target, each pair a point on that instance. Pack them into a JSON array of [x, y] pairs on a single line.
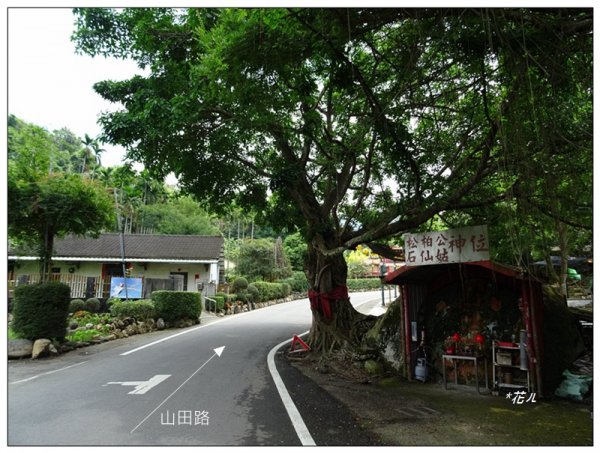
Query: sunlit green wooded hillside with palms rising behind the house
[[145, 204]]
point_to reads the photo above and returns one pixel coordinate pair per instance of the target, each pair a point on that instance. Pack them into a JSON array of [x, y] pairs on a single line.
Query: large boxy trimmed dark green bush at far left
[[41, 310]]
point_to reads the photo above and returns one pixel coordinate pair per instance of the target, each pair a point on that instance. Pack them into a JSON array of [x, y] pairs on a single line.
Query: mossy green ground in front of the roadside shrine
[[472, 419]]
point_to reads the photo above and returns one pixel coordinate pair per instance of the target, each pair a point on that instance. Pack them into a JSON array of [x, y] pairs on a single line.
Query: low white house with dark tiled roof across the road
[[180, 262]]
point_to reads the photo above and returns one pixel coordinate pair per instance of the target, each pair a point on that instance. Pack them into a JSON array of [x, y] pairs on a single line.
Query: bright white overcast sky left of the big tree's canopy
[[51, 86]]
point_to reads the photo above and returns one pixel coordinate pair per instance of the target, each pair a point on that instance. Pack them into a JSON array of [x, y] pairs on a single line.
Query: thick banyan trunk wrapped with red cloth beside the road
[[336, 324]]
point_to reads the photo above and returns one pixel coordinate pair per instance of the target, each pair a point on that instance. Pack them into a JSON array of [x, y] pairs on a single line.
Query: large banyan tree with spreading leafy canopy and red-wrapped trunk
[[349, 125]]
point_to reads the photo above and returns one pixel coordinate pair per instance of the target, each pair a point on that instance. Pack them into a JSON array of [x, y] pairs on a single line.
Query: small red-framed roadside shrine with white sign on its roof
[[463, 309]]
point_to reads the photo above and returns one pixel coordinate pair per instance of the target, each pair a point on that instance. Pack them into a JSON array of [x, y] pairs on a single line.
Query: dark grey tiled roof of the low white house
[[140, 246]]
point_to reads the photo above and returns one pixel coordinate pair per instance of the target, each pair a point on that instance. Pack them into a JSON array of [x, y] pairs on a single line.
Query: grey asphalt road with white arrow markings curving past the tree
[[206, 385]]
